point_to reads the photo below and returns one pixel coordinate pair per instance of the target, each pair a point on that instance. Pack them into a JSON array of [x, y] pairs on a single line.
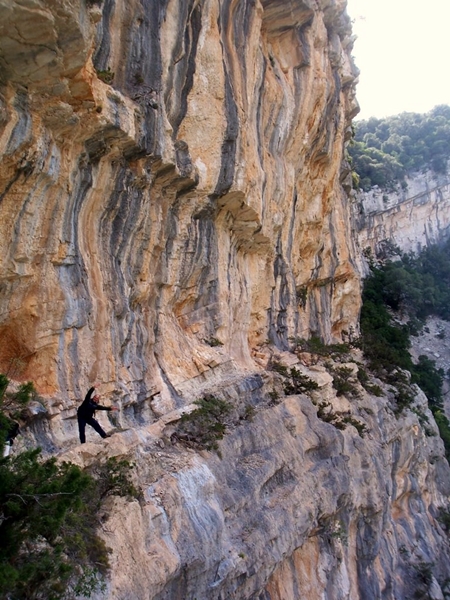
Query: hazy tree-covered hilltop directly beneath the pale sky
[[383, 151]]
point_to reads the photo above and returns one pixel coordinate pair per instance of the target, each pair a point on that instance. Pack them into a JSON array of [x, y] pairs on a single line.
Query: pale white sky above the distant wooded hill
[[403, 53]]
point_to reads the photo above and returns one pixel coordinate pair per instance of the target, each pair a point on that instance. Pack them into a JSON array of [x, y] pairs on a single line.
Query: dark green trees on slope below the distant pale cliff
[[398, 296]]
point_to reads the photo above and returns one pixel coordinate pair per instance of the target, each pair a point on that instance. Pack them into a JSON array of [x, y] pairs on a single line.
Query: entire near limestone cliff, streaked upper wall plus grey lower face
[[174, 210]]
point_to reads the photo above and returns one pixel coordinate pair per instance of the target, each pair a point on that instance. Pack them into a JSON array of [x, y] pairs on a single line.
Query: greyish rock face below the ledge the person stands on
[[291, 508]]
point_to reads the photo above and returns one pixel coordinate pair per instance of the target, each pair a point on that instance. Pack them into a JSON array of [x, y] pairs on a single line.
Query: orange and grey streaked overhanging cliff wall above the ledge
[[171, 174]]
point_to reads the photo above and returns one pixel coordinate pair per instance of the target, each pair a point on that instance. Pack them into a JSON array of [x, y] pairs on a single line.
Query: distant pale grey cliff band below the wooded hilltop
[[411, 217]]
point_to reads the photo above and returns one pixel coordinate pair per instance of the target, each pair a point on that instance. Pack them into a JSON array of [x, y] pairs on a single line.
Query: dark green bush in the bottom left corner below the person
[[48, 533]]
